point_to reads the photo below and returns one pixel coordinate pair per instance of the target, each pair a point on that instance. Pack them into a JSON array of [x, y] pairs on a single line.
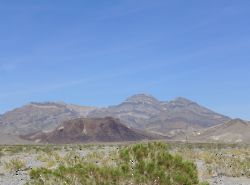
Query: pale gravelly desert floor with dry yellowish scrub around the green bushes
[[221, 164]]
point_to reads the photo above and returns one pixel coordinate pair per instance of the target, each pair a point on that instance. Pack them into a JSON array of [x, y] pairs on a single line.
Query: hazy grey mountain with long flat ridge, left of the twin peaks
[[39, 116]]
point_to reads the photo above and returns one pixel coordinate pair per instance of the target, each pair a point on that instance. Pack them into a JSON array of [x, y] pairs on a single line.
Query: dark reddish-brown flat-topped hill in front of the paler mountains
[[79, 130]]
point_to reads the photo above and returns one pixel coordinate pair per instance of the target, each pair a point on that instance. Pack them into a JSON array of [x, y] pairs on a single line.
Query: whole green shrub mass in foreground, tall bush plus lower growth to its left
[[142, 164]]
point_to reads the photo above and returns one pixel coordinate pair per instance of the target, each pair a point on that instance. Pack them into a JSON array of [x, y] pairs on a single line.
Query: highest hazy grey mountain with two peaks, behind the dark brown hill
[[170, 118]]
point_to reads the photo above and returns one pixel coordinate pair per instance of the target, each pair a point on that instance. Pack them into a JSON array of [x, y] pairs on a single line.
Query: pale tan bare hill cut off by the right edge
[[234, 131]]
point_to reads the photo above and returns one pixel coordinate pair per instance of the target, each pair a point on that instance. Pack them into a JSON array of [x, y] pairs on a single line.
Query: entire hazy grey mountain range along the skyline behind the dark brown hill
[[141, 112]]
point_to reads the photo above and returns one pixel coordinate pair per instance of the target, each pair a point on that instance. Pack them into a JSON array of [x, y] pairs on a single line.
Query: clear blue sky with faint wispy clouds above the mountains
[[98, 53]]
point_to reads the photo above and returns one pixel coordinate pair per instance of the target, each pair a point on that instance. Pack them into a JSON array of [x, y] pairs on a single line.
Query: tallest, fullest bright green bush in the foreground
[[152, 163]]
